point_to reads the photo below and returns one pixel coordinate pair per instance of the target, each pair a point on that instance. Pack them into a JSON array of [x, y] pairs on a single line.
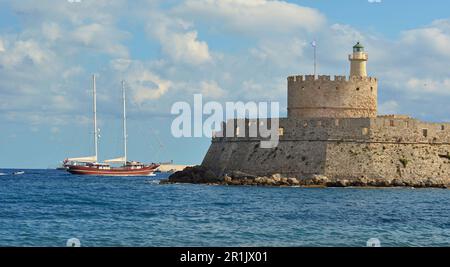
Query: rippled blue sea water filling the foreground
[[47, 207]]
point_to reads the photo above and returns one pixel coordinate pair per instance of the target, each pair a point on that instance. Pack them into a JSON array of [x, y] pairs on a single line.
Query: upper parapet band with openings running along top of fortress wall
[[388, 129]]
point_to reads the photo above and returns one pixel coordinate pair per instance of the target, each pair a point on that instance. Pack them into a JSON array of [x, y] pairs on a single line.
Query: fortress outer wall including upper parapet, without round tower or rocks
[[340, 149]]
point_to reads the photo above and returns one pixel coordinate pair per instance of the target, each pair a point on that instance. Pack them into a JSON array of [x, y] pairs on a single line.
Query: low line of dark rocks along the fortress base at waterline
[[200, 175]]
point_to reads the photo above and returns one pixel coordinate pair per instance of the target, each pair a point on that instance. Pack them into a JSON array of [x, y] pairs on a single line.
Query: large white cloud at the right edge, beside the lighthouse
[[419, 65]]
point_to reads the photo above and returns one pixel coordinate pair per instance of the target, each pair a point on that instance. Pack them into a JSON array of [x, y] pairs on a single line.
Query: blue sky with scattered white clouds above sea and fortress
[[167, 51]]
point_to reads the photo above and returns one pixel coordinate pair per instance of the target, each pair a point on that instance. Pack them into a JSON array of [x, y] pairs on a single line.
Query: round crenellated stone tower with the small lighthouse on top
[[337, 97]]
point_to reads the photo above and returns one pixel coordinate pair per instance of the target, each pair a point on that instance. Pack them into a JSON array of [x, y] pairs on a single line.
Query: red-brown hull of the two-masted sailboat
[[81, 170]]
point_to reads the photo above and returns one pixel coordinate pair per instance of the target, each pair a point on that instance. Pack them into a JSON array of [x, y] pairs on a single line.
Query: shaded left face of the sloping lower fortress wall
[[290, 158]]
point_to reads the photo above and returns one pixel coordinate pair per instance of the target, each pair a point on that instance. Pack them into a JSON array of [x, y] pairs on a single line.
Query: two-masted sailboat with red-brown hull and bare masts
[[91, 166]]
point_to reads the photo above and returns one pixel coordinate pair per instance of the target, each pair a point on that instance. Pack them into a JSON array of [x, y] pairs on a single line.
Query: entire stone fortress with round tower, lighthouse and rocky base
[[332, 136]]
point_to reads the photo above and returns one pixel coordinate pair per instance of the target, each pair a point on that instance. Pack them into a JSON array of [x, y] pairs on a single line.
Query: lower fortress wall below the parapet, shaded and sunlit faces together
[[337, 160]]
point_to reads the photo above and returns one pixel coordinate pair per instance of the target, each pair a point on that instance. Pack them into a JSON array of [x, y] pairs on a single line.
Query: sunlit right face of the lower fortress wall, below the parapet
[[417, 162]]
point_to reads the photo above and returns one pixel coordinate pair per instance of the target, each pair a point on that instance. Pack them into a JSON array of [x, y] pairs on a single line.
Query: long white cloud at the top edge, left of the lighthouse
[[254, 16]]
